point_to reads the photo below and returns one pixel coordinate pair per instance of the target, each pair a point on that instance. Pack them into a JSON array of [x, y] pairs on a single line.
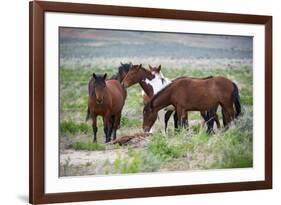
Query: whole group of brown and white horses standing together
[[107, 97]]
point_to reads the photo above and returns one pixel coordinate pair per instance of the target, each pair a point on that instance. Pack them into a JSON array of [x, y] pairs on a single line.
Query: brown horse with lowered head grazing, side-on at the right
[[190, 94]]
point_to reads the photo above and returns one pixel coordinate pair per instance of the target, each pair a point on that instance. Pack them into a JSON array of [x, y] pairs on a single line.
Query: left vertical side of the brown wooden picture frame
[[36, 105]]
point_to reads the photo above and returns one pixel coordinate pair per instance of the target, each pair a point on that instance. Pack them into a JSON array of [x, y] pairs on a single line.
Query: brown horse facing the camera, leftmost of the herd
[[106, 99]]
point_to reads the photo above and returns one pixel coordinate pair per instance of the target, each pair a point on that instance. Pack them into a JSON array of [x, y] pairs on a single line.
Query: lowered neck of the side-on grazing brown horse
[[162, 100]]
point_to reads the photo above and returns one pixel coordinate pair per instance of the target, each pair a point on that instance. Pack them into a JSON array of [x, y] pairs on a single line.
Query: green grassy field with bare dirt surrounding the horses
[[190, 149]]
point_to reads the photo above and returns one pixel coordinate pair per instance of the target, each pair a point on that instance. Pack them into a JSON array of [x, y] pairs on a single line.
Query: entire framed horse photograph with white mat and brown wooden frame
[[132, 102]]
